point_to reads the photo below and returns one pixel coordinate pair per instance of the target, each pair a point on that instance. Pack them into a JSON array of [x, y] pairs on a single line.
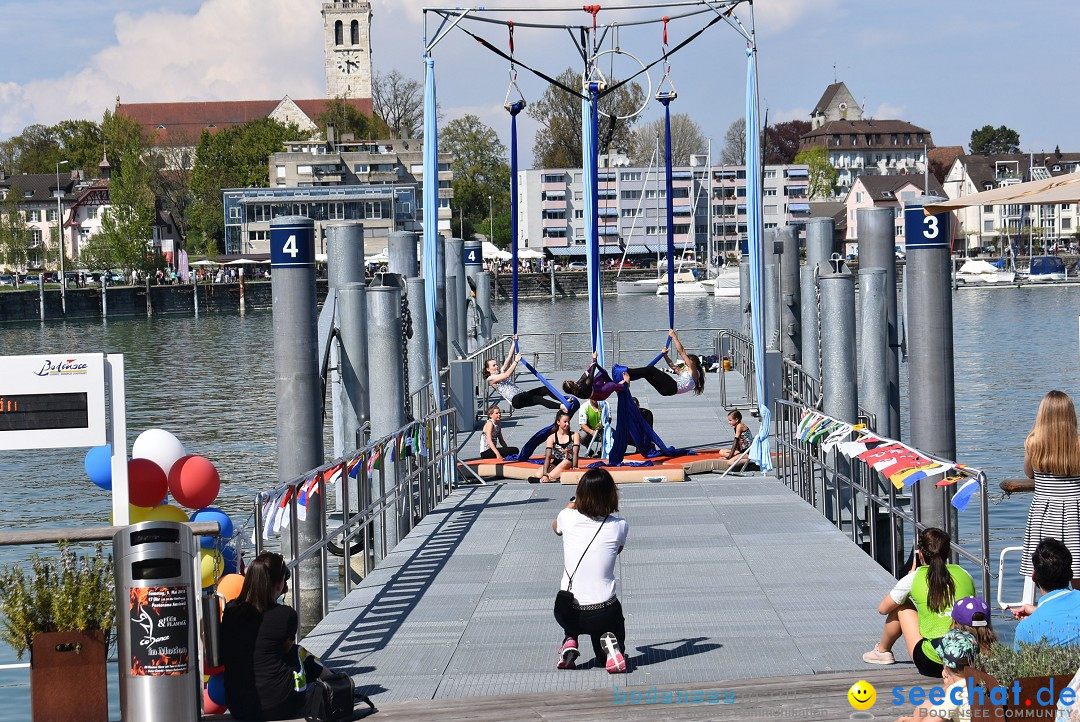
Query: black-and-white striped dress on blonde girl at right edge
[[1055, 512]]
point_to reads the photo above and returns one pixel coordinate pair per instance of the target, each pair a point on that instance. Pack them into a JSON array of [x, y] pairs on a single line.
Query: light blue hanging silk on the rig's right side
[[760, 453]]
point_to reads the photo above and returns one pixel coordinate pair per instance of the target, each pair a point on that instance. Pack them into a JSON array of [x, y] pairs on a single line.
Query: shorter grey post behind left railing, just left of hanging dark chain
[[387, 403]]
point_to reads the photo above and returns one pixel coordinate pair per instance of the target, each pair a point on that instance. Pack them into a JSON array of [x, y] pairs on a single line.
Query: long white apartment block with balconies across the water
[[632, 208]]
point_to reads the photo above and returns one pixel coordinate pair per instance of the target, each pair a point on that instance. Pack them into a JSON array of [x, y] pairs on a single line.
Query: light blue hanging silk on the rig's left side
[[431, 256]]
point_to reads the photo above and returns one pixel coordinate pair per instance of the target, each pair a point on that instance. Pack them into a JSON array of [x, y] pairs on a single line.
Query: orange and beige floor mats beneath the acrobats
[[664, 469]]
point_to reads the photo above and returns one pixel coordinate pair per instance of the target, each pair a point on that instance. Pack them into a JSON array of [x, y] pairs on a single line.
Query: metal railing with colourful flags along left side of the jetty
[[421, 481]]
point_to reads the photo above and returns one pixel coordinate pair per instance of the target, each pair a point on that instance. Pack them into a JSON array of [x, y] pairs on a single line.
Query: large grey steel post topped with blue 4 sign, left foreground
[[299, 389]]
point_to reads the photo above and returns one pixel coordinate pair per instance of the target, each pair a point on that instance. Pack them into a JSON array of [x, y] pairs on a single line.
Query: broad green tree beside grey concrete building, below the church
[[235, 158]]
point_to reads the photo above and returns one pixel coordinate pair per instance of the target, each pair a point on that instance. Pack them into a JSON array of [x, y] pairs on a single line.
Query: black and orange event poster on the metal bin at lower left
[[159, 631]]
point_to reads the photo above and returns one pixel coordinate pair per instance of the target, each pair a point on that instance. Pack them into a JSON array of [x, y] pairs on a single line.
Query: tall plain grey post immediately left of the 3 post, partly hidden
[[877, 249]]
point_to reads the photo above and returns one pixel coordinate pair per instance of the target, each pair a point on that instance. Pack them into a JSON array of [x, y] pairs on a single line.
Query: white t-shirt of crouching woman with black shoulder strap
[[595, 581]]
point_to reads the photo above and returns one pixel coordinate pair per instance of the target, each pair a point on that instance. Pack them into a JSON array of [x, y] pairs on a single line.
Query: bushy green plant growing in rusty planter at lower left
[[59, 594]]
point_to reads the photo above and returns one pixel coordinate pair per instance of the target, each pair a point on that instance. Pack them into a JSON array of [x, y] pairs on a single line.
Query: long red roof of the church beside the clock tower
[[182, 124]]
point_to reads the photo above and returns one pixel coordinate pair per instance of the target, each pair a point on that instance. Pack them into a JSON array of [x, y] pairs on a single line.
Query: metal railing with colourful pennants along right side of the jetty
[[875, 511]]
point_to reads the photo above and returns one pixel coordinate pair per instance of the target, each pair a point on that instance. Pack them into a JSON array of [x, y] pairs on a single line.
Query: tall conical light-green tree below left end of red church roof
[[128, 223]]
